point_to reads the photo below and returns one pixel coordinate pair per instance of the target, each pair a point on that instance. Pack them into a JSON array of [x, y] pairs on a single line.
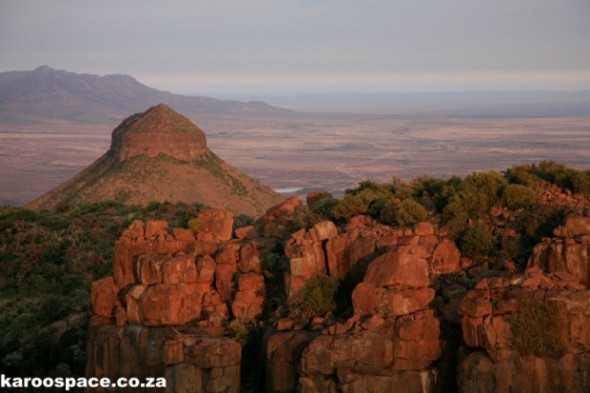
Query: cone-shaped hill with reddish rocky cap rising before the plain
[[159, 155]]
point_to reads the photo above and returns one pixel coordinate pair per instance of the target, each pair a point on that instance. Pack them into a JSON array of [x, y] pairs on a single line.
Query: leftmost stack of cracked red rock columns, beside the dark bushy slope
[[166, 281]]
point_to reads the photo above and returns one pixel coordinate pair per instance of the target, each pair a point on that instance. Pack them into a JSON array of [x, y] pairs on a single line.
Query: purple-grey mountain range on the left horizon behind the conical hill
[[44, 93]]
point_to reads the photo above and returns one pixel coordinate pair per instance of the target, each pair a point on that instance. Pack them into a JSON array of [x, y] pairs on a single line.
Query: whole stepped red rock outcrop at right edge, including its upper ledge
[[531, 331]]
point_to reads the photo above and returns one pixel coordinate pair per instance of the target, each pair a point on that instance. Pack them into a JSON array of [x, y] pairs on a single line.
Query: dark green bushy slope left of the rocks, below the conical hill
[[48, 260]]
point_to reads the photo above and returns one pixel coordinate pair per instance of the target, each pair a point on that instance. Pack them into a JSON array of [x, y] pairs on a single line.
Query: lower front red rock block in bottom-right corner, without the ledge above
[[558, 361]]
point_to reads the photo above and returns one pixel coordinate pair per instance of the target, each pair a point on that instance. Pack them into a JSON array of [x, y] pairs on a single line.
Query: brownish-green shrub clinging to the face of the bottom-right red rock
[[536, 329]]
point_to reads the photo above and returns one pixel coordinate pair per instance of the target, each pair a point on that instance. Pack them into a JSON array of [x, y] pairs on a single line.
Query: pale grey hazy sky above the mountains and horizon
[[307, 46]]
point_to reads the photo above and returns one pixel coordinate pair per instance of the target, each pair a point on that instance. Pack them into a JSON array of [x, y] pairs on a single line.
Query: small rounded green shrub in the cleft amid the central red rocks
[[317, 298]]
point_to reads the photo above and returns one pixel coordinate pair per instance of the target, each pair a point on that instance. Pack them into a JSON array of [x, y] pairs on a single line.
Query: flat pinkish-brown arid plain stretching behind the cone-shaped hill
[[310, 151]]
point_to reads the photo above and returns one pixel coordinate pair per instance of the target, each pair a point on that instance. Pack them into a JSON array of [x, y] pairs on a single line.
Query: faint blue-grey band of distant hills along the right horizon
[[452, 104]]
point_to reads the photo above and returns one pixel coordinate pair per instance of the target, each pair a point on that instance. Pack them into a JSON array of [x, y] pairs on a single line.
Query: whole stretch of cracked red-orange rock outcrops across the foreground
[[423, 318]]
